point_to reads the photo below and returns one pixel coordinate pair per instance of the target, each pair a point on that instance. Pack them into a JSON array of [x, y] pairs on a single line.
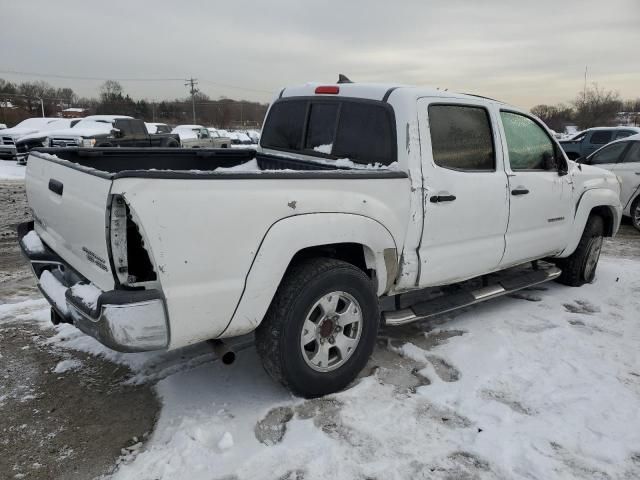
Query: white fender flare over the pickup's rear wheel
[[287, 237]]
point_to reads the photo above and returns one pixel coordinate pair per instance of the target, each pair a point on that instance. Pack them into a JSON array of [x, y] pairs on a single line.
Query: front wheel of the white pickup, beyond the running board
[[577, 268]]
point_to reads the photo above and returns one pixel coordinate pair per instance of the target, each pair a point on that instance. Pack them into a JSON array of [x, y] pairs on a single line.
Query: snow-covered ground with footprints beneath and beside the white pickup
[[541, 385]]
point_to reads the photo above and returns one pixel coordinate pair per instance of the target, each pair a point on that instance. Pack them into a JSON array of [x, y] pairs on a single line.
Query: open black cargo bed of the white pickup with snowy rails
[[115, 163]]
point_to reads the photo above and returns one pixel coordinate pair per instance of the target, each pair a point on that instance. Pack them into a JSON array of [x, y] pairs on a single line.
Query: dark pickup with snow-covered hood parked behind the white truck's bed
[[111, 131]]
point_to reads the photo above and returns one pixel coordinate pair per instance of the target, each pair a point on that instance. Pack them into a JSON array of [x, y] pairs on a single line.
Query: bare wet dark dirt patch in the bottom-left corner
[[71, 424]]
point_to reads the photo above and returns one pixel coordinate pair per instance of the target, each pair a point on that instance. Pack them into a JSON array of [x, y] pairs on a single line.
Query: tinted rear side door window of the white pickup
[[461, 137]]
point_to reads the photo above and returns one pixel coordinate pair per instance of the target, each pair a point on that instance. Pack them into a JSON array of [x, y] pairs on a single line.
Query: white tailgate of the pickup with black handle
[[70, 212]]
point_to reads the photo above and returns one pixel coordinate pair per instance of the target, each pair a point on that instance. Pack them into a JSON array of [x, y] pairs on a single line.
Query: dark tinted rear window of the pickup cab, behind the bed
[[362, 131]]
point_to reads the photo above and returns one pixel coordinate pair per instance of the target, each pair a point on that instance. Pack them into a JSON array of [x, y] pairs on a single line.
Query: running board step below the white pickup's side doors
[[448, 303]]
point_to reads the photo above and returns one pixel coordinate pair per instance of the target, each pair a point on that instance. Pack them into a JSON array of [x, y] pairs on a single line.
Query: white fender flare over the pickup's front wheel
[[590, 199]]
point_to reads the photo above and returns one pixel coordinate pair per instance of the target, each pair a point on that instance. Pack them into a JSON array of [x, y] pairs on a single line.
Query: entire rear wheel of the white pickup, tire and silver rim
[[321, 327]]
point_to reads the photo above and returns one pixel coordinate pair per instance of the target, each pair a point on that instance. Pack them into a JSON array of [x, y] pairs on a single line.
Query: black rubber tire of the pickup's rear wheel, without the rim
[[279, 335]]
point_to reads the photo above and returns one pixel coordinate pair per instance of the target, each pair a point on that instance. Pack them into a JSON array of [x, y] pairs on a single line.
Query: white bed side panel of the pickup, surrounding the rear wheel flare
[[203, 235]]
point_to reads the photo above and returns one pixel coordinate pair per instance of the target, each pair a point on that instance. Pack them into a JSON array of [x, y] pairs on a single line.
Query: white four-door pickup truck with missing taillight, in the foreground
[[357, 195]]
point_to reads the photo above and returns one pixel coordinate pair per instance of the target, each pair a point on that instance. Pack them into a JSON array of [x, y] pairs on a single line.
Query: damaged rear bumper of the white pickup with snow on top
[[124, 320]]
